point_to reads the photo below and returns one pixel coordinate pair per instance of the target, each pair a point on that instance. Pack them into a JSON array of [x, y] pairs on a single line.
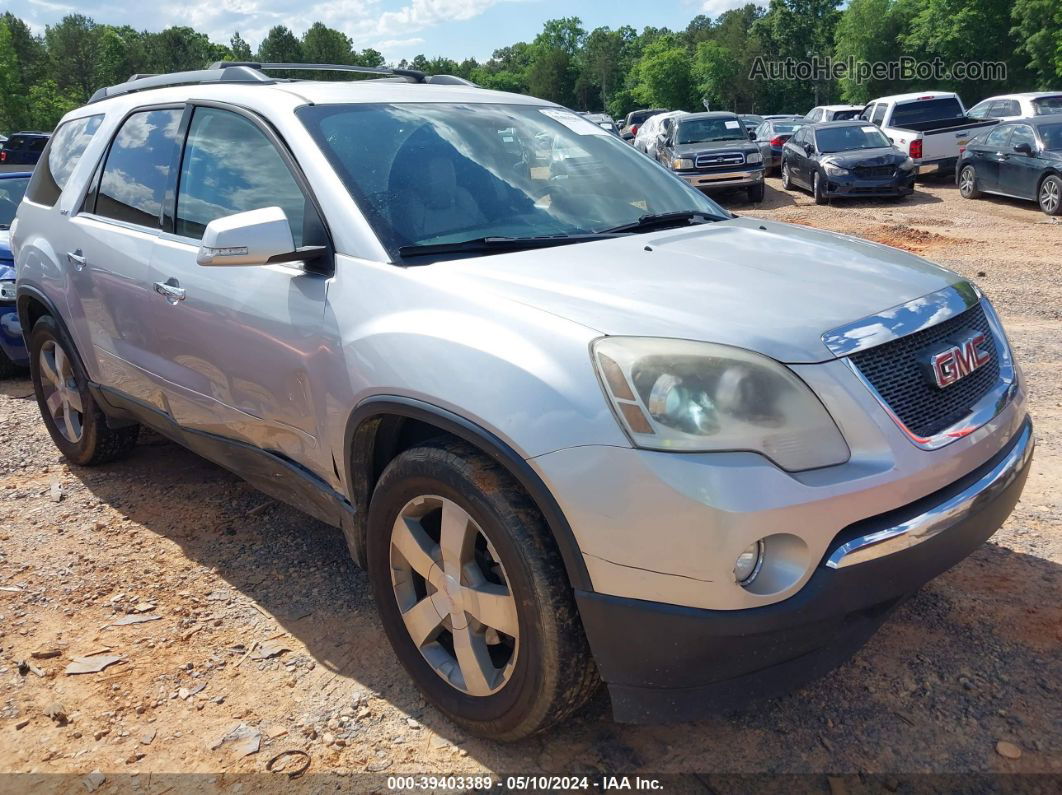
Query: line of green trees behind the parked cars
[[711, 61]]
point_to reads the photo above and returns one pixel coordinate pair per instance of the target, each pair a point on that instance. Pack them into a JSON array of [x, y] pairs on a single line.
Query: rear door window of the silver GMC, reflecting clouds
[[139, 166]]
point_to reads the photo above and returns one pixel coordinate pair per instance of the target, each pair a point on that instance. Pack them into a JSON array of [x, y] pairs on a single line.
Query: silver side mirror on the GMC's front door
[[253, 238]]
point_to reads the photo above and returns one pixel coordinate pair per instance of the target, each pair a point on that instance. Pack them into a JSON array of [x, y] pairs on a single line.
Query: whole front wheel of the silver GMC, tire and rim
[[474, 596]]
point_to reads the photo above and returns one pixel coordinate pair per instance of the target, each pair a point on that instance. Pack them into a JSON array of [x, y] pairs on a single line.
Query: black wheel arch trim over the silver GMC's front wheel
[[383, 427]]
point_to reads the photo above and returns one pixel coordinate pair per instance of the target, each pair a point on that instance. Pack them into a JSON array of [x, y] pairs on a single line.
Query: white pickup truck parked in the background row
[[931, 127]]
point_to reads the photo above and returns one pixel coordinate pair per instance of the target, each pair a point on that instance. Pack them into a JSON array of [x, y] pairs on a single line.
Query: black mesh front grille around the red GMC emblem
[[898, 371]]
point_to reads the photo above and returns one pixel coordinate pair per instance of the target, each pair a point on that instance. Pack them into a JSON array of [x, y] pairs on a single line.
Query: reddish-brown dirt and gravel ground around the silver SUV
[[267, 634]]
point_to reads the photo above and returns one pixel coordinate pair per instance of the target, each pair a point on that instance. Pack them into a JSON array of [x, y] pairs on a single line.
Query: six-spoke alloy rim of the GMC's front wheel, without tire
[[454, 596]]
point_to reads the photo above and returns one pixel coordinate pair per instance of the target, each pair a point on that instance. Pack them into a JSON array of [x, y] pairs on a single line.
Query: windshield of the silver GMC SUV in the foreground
[[434, 174]]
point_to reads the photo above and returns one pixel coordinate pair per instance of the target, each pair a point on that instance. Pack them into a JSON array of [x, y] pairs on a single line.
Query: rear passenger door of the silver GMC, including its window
[[111, 245]]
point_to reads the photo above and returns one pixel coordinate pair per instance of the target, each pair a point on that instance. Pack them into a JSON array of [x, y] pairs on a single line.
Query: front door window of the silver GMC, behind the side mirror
[[230, 167]]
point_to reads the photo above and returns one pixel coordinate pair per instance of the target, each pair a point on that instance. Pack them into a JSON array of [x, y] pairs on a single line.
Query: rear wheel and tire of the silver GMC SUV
[[72, 416]]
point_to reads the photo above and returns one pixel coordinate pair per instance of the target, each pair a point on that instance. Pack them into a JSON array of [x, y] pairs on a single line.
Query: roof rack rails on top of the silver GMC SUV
[[254, 73]]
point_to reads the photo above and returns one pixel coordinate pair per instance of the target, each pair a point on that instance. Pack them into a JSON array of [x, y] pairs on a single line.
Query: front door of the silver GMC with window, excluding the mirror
[[236, 351]]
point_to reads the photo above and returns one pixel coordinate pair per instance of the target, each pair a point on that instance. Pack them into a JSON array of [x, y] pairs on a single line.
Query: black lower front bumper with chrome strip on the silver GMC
[[665, 663]]
